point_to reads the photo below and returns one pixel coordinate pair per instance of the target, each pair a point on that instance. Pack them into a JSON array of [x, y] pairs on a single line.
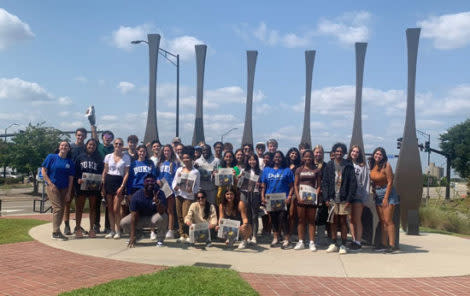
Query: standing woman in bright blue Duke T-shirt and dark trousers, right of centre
[[277, 180]]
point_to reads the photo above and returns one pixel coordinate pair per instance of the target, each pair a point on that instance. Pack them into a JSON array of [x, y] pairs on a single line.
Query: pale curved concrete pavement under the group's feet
[[427, 255]]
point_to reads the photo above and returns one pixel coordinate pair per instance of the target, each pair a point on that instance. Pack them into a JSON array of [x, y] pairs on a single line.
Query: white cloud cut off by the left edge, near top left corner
[[12, 29]]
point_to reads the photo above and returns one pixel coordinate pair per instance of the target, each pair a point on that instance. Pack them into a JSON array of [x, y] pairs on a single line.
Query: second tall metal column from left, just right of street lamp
[[198, 135]]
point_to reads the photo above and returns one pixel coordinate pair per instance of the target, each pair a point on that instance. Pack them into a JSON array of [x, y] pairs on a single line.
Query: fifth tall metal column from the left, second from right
[[357, 138]]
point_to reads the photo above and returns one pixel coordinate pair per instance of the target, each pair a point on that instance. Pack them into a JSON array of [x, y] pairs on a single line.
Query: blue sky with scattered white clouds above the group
[[59, 57]]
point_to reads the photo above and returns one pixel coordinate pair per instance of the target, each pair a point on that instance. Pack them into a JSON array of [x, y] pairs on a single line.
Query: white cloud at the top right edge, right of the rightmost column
[[447, 31]]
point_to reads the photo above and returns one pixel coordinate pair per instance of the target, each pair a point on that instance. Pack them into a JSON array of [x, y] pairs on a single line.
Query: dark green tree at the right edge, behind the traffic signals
[[456, 143]]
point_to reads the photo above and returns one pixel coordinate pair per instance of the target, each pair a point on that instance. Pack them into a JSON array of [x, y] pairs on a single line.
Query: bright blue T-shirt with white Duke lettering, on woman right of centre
[[277, 180]]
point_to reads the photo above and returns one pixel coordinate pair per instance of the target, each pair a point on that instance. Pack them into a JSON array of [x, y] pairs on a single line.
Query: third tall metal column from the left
[[251, 56]]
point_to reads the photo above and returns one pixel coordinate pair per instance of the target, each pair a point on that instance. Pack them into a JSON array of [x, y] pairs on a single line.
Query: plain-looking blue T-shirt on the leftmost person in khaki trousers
[[59, 170]]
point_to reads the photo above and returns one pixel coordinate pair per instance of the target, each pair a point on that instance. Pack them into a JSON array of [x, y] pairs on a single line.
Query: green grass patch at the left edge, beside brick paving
[[16, 230]]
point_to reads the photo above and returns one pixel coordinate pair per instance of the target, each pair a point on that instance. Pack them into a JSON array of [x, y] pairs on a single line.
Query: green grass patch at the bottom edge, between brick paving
[[182, 280]]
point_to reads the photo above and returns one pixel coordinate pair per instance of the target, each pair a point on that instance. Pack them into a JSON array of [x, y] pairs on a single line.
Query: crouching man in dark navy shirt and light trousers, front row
[[148, 209]]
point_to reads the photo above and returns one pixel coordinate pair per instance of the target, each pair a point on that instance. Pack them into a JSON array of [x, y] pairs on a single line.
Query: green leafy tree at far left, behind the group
[[31, 147]]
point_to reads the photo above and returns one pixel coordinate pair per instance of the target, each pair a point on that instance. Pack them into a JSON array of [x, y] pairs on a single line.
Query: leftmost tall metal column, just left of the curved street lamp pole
[[151, 130]]
